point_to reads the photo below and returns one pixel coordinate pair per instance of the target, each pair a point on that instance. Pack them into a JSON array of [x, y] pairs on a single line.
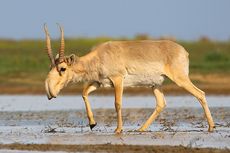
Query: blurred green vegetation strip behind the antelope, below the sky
[[25, 62]]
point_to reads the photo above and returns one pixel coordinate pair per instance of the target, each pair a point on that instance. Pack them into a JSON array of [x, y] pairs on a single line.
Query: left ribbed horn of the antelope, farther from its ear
[[48, 46]]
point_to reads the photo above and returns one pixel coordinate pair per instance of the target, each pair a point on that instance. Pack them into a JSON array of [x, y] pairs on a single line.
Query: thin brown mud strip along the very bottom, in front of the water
[[108, 148]]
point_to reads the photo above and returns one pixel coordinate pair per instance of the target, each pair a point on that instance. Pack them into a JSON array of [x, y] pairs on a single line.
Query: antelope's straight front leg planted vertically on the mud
[[118, 88]]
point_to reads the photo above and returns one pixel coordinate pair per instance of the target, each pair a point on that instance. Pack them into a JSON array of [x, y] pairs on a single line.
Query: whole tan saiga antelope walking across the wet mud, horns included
[[121, 64]]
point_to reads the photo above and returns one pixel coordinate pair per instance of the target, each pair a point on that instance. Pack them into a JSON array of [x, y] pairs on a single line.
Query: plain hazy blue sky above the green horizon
[[182, 19]]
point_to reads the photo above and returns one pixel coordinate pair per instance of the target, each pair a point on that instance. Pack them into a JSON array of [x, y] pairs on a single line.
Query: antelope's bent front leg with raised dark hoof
[[89, 88]]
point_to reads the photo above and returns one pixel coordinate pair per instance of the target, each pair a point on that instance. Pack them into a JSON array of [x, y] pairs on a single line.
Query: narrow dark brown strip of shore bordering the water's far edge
[[170, 89]]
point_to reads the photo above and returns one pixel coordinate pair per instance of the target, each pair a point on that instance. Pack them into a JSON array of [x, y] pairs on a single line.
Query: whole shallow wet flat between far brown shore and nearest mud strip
[[35, 120]]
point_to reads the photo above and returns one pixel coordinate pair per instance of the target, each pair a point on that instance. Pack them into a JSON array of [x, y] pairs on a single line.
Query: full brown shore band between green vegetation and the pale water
[[212, 84]]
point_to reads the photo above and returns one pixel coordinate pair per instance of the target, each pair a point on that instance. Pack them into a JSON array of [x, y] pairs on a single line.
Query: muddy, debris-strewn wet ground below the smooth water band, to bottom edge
[[176, 130]]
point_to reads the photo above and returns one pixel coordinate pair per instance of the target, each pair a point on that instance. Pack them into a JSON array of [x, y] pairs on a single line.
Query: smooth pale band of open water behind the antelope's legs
[[40, 103]]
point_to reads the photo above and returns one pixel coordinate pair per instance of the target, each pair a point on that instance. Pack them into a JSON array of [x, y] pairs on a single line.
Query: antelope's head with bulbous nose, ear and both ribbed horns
[[61, 69]]
